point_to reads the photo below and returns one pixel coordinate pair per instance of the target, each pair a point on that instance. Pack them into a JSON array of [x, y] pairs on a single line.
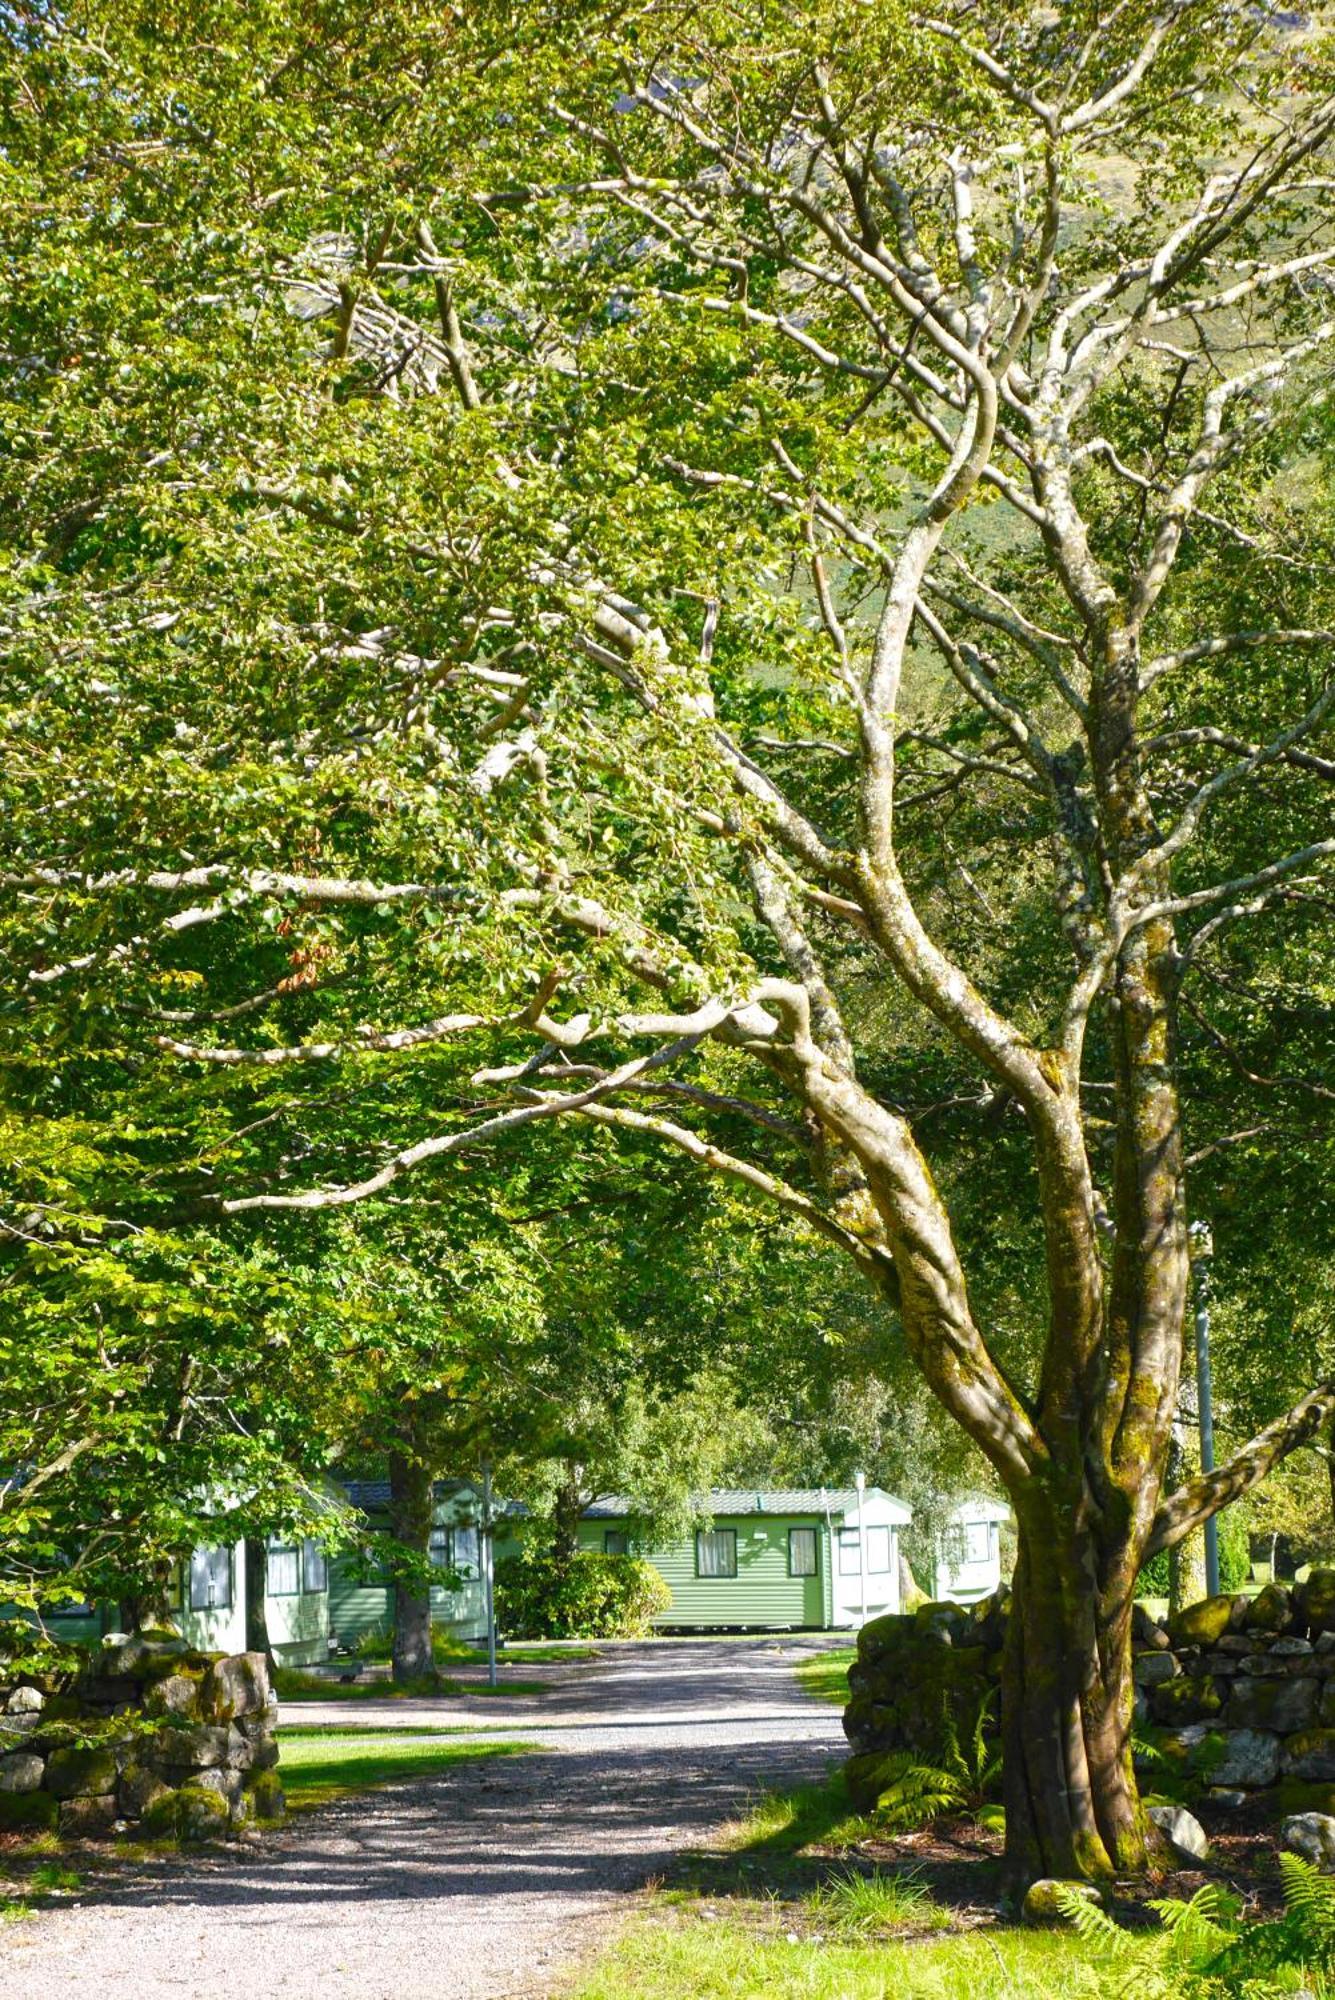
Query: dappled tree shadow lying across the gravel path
[[571, 1821]]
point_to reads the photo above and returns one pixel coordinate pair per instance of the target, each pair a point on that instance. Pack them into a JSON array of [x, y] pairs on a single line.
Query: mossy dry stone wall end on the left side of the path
[[147, 1737]]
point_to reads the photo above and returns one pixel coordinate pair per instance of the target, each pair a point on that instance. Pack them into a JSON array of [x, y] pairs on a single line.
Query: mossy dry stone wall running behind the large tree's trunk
[[1234, 1697]]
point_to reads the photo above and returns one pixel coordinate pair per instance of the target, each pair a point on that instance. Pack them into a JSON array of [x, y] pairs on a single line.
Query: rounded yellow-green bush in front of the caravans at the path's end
[[579, 1597]]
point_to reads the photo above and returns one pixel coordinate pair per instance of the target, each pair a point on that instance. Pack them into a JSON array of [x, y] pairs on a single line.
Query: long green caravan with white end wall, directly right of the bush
[[794, 1559]]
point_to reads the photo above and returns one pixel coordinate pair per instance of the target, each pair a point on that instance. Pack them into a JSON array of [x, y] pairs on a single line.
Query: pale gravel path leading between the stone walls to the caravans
[[477, 1885]]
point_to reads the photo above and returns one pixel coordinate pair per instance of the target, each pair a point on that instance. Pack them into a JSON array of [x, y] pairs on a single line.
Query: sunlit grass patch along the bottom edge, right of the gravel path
[[667, 1957]]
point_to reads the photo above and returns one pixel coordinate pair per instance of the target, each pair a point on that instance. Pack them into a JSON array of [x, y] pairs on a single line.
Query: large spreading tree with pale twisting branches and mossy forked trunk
[[734, 567]]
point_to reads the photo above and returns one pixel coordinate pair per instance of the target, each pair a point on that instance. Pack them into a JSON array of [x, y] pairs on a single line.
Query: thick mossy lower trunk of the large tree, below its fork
[[1072, 1805]]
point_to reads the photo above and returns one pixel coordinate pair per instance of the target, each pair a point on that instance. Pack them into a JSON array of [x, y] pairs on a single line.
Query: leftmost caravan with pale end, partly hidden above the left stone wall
[[209, 1603]]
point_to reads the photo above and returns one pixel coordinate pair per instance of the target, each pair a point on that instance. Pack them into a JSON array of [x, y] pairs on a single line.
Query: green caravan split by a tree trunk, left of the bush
[[363, 1599]]
